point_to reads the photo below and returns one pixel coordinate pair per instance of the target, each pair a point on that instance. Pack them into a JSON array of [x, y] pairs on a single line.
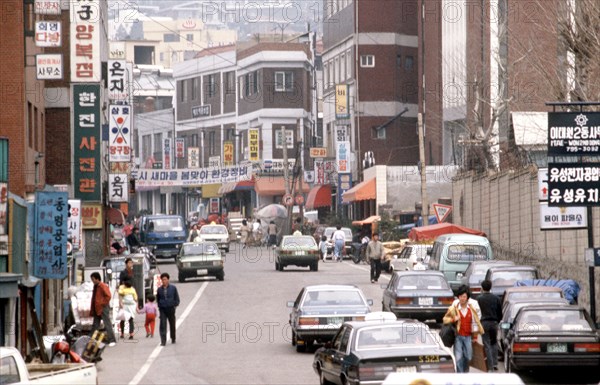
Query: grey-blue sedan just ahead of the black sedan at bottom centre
[[319, 311]]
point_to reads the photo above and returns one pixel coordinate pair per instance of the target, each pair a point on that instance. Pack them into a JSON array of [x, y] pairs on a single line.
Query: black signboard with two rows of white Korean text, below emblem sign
[[574, 184]]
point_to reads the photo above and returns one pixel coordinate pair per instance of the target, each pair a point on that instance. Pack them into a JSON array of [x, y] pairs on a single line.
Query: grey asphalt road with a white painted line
[[236, 331]]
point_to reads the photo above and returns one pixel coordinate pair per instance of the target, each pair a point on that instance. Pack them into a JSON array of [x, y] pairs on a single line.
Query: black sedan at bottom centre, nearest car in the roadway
[[366, 352]]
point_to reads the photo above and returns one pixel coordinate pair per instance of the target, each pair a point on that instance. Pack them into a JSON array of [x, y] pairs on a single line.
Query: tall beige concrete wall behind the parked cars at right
[[506, 207]]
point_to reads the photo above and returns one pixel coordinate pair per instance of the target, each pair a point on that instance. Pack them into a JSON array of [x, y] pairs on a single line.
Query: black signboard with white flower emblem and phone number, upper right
[[573, 133]]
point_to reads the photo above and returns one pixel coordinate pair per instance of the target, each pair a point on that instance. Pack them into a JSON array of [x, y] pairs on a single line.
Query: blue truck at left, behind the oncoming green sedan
[[163, 234]]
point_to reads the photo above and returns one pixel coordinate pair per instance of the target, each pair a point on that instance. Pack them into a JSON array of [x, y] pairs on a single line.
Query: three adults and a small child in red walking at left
[[164, 303]]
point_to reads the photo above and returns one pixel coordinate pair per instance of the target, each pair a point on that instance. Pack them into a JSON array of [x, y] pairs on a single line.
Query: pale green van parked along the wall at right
[[452, 254]]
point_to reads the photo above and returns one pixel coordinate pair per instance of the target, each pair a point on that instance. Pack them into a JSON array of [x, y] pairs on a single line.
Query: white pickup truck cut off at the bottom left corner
[[13, 369]]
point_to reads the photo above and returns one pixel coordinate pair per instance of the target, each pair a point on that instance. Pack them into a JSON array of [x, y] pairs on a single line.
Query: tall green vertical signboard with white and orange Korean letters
[[86, 145]]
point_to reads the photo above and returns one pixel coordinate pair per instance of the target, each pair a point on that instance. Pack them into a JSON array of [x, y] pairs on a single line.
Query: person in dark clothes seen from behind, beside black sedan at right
[[491, 314]]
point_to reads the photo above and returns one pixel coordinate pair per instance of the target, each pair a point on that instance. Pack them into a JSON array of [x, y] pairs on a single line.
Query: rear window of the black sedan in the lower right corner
[[552, 320]]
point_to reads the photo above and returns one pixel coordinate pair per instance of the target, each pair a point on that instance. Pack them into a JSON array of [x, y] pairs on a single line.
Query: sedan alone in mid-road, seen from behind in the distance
[[301, 250]]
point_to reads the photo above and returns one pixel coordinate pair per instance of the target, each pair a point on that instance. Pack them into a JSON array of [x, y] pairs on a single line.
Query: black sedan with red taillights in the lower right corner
[[551, 336]]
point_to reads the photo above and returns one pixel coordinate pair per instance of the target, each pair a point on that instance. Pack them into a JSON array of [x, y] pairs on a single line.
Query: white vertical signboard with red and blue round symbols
[[119, 133]]
